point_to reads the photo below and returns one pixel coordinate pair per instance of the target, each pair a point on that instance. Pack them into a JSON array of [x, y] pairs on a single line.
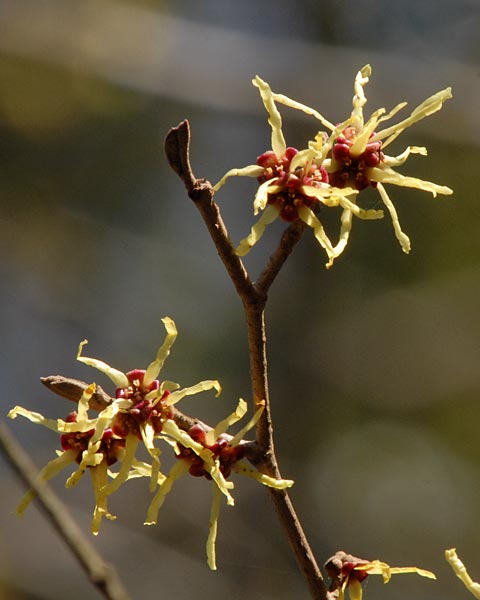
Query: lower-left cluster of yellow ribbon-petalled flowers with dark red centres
[[143, 411]]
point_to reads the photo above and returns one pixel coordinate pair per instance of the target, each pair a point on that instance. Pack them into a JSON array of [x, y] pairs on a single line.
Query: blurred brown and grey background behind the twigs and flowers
[[374, 365]]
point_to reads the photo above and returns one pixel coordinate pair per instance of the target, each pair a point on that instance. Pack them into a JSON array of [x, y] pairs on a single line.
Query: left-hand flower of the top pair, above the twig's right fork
[[294, 185]]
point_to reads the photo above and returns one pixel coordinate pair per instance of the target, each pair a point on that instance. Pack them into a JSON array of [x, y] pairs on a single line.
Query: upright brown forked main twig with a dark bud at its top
[[254, 297]]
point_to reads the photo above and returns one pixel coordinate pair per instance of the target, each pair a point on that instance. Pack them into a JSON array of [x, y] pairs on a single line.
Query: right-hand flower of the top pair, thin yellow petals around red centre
[[353, 154]]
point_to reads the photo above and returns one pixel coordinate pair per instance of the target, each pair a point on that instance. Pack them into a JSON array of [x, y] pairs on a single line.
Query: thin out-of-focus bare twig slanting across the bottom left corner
[[102, 575]]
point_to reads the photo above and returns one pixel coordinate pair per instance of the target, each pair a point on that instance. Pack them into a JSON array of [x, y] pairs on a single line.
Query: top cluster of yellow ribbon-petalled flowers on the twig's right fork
[[334, 168]]
